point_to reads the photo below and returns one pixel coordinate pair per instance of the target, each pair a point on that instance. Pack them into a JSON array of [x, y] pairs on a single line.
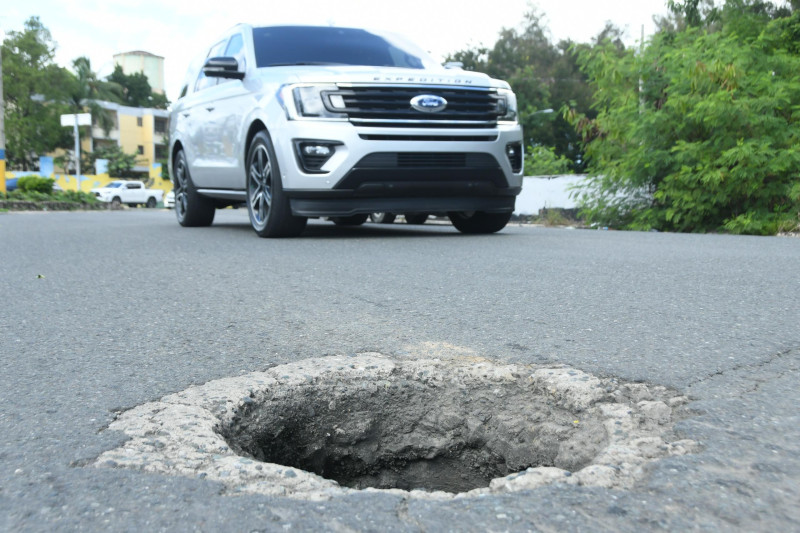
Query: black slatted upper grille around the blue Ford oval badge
[[391, 106]]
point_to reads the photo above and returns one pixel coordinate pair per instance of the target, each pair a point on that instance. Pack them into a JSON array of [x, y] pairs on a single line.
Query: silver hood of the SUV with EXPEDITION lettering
[[372, 75]]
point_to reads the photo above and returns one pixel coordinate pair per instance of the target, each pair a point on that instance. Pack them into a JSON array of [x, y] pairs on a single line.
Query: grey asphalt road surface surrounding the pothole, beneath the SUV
[[103, 311]]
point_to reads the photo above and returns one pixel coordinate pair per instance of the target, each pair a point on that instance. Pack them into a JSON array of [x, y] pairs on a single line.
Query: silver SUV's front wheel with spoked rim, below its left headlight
[[267, 205]]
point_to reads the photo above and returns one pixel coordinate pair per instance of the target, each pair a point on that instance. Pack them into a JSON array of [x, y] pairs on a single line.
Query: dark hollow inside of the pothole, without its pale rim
[[446, 432]]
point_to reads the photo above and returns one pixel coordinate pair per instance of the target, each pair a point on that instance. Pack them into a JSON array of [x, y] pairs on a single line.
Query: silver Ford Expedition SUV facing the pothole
[[305, 121]]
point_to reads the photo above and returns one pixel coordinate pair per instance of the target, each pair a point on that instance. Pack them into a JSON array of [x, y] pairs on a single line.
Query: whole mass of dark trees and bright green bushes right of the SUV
[[695, 130]]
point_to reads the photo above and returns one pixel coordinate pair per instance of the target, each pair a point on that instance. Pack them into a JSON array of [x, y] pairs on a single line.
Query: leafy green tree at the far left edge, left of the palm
[[34, 96]]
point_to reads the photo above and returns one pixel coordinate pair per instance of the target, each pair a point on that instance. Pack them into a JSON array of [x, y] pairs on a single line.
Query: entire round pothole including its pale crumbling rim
[[445, 427]]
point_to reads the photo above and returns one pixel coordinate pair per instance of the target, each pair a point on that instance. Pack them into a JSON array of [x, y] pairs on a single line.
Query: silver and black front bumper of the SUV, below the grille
[[411, 170]]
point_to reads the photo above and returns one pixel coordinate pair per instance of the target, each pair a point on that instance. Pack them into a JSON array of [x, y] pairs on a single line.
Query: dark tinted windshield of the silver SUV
[[321, 45]]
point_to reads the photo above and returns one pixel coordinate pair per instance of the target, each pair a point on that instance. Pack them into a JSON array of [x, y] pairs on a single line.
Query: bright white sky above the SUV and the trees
[[179, 30]]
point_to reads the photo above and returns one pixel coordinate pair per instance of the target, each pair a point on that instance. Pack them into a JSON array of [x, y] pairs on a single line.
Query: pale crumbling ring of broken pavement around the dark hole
[[177, 434]]
